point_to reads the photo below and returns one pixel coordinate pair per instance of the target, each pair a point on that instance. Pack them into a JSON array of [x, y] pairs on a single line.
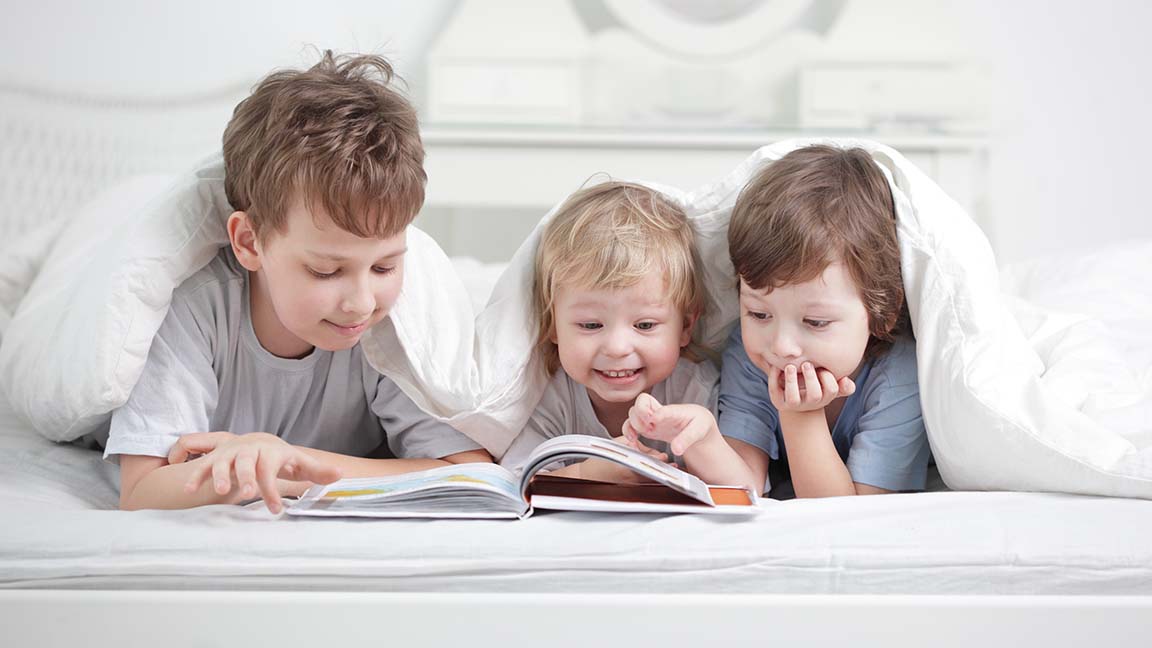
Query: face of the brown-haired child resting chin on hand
[[823, 322]]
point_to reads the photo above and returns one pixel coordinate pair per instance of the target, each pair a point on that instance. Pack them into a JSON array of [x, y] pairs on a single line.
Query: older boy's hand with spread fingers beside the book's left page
[[259, 463]]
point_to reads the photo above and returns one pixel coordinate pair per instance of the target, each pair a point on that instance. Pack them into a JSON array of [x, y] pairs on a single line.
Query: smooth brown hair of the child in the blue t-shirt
[[814, 207]]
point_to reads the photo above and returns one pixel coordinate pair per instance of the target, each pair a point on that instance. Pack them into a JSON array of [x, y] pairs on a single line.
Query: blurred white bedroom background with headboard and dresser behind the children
[[1033, 115]]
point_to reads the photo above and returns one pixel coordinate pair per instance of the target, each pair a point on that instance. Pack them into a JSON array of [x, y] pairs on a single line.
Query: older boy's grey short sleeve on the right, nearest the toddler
[[412, 433]]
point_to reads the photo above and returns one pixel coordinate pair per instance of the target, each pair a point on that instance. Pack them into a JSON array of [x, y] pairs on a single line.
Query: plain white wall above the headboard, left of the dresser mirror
[[165, 47]]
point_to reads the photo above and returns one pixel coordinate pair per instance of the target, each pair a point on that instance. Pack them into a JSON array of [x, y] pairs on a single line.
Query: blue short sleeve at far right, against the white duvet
[[891, 448]]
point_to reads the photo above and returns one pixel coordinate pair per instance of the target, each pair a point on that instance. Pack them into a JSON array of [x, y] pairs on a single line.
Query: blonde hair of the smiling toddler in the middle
[[613, 236]]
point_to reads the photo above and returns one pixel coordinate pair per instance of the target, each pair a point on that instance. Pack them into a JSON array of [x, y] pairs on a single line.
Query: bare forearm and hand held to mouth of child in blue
[[817, 470]]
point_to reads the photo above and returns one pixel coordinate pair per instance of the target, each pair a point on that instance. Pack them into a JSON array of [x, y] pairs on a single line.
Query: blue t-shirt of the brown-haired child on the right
[[880, 433]]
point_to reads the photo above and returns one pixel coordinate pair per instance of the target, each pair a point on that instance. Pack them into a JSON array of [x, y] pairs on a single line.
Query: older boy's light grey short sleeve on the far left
[[178, 391]]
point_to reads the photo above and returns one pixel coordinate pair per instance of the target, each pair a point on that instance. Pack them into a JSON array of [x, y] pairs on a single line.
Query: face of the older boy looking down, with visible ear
[[325, 285]]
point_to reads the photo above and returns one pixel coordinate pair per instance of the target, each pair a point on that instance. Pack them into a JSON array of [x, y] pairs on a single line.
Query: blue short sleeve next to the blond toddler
[[746, 413]]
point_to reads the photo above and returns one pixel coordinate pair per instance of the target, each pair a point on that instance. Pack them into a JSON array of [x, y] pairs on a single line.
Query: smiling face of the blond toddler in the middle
[[619, 343]]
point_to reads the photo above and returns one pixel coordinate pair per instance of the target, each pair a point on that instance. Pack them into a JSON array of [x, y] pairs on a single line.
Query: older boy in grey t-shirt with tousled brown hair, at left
[[324, 170]]
